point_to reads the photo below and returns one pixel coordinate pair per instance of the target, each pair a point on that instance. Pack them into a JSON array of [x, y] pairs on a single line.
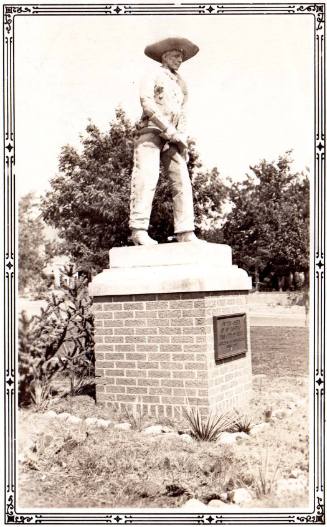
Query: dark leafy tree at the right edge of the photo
[[268, 227]]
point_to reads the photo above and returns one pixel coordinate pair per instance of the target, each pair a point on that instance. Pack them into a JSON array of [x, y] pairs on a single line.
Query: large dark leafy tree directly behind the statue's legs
[[89, 200]]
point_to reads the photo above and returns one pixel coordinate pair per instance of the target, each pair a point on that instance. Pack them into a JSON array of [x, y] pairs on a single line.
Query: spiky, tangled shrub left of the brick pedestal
[[60, 339]]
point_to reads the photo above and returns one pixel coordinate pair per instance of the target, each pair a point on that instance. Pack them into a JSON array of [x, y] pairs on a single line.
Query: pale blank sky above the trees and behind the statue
[[251, 91]]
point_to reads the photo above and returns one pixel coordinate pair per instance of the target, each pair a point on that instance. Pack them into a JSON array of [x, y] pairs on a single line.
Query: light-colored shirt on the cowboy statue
[[163, 96]]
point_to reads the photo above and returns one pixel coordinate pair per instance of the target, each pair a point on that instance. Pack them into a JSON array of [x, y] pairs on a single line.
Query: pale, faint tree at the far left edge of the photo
[[34, 250]]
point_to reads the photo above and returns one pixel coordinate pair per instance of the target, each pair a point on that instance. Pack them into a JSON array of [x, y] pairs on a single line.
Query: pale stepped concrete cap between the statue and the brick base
[[170, 268]]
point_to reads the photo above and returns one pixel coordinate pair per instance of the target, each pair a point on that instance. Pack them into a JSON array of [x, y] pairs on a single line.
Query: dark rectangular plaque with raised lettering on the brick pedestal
[[230, 336]]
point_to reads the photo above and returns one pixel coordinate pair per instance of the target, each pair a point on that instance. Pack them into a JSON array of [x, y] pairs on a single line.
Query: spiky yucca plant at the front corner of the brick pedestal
[[207, 428]]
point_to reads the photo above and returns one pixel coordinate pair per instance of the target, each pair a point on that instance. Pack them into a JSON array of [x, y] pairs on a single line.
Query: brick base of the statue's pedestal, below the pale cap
[[156, 350]]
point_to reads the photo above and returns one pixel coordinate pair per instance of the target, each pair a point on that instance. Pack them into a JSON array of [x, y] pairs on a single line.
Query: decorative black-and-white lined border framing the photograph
[[12, 514]]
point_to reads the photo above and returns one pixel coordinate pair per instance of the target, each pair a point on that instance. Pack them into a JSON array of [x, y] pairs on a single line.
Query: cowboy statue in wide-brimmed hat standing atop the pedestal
[[161, 136]]
